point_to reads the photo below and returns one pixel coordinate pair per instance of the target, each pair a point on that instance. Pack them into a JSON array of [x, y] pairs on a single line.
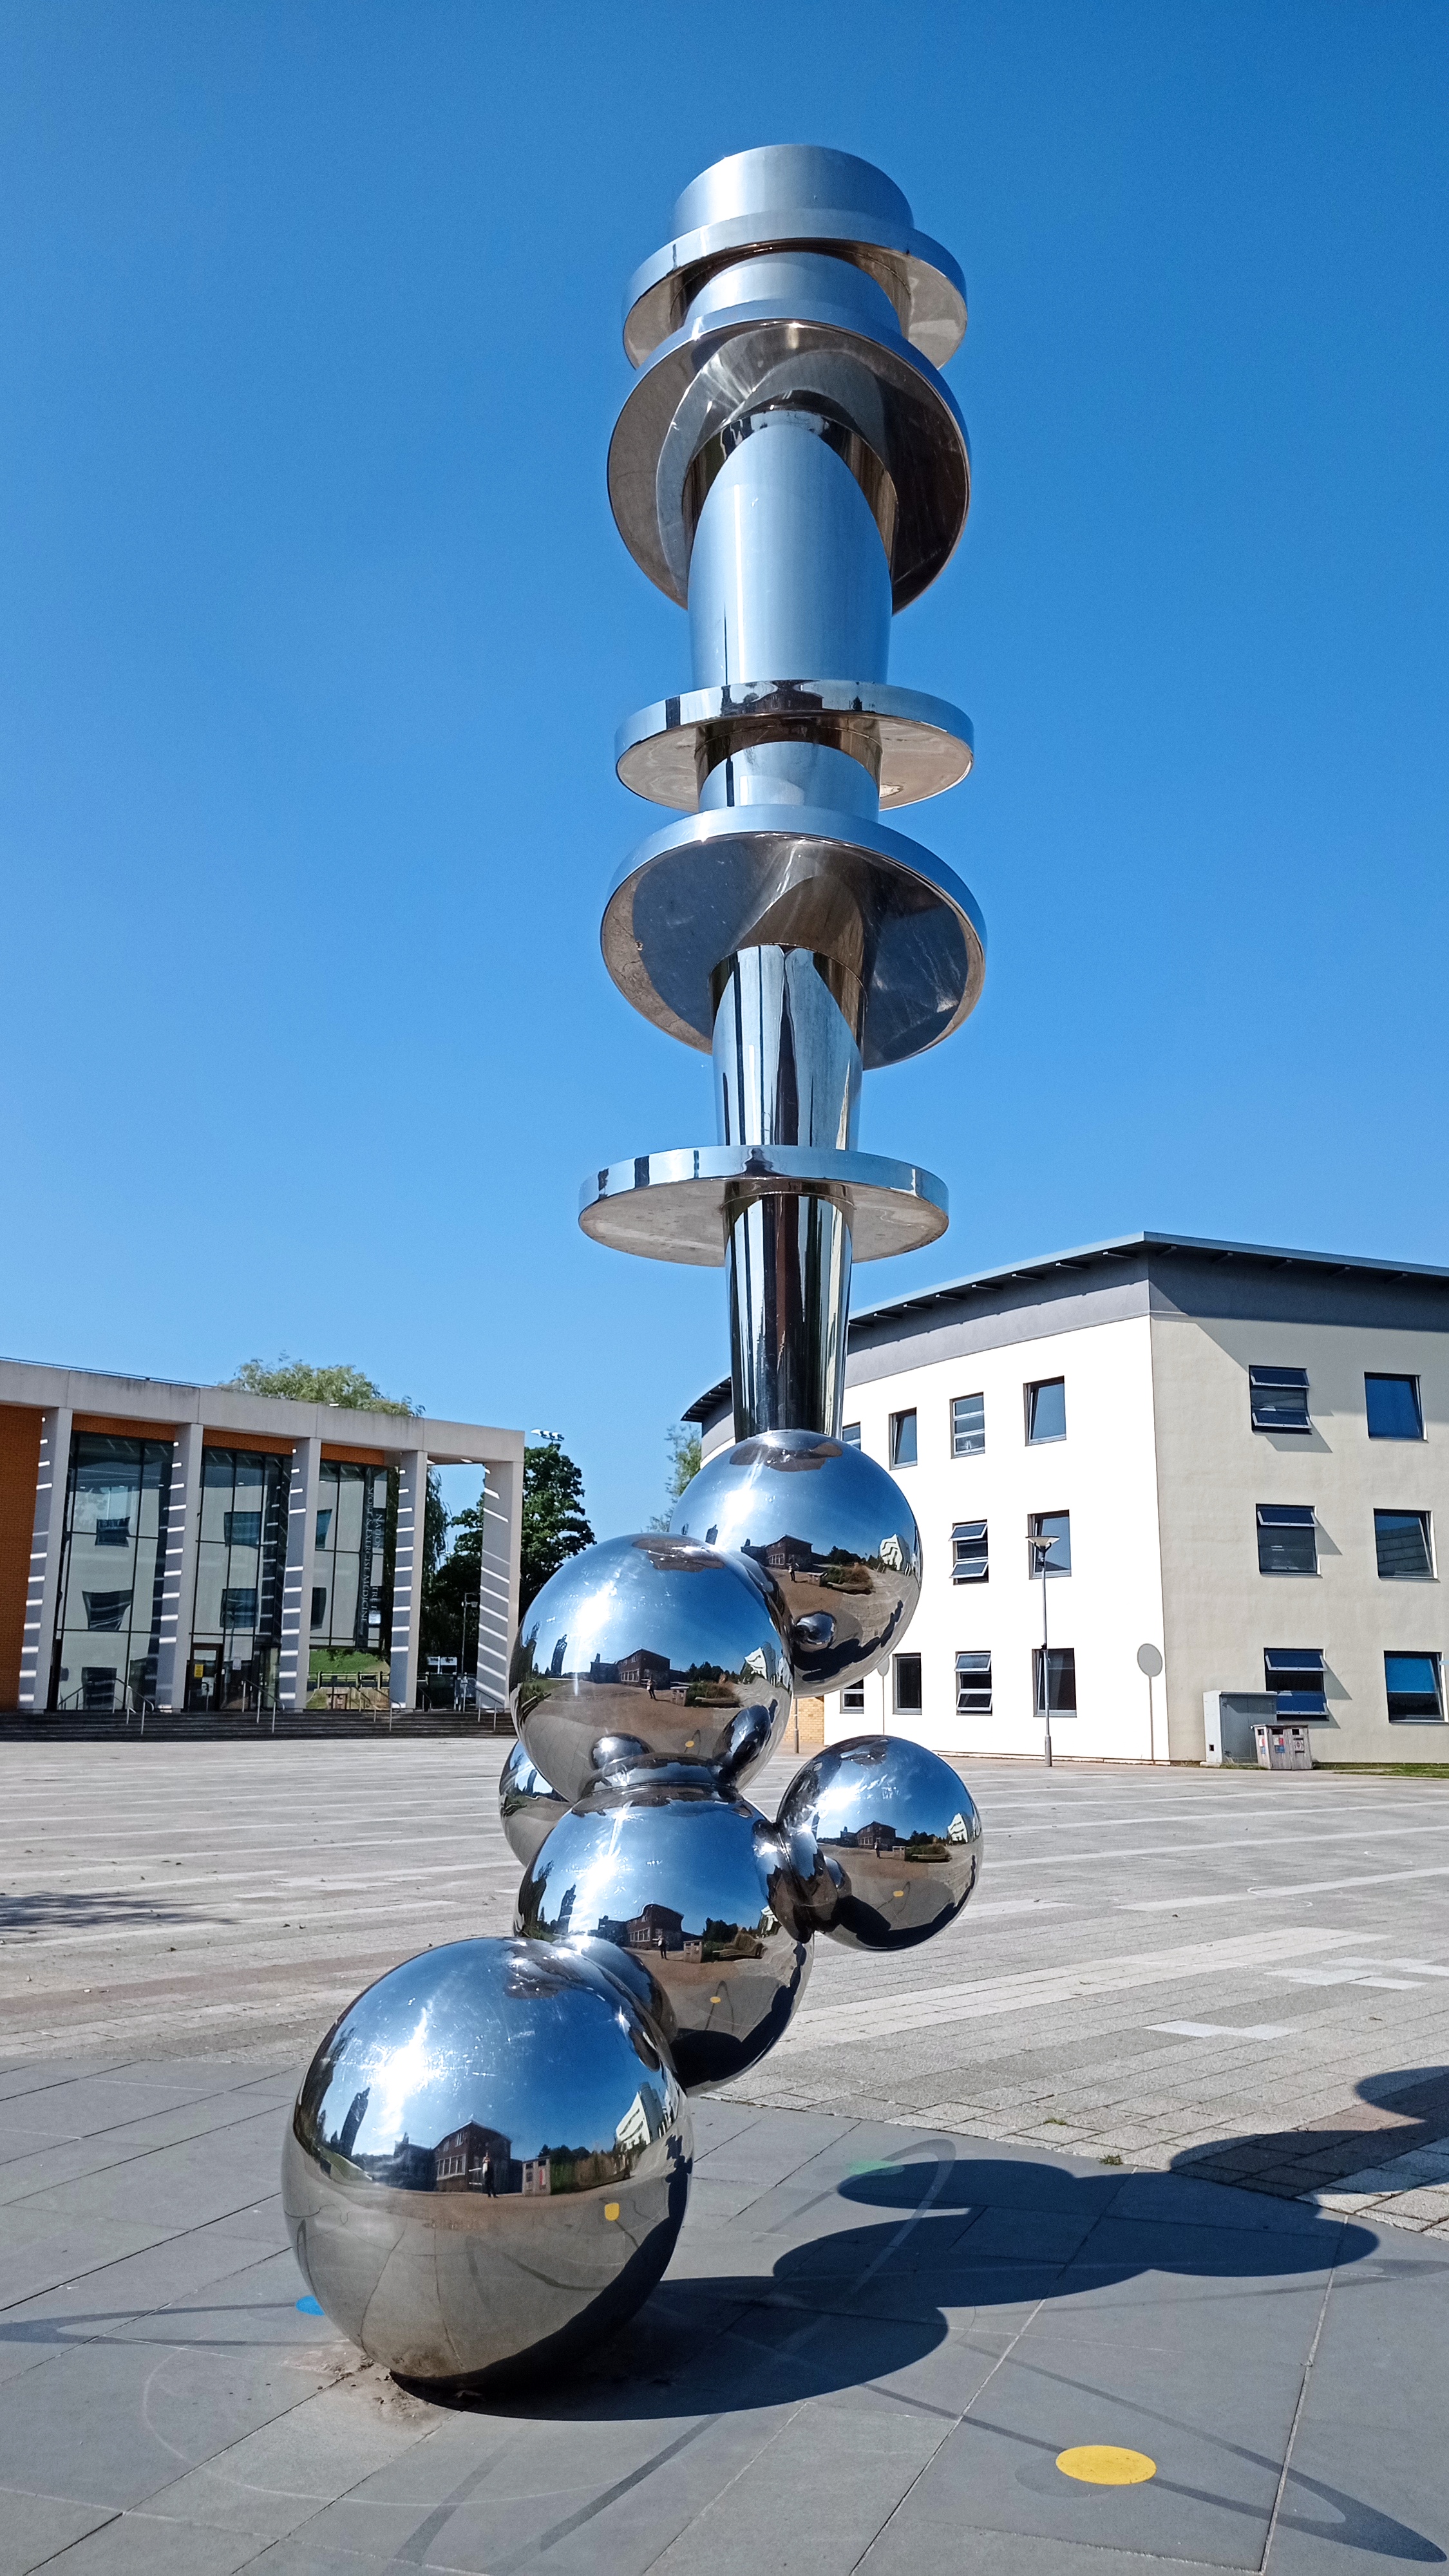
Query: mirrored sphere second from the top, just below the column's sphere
[[651, 1647]]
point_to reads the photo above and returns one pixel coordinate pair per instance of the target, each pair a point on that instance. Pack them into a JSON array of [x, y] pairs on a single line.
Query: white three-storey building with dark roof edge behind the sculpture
[[1241, 1459]]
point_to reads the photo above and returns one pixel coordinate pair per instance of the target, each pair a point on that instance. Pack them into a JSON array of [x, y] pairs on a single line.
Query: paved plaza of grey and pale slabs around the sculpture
[[1146, 2155]]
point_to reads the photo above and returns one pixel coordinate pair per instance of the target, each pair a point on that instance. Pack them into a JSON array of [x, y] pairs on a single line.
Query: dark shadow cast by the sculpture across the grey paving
[[860, 2304]]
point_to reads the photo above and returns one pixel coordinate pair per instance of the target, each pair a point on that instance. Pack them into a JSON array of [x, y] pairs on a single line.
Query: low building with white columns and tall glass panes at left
[[202, 1549]]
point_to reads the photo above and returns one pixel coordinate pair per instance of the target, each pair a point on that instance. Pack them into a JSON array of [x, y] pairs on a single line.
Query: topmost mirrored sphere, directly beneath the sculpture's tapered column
[[831, 1529]]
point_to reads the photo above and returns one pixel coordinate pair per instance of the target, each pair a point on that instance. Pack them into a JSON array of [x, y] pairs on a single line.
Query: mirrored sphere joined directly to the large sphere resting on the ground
[[697, 1889]]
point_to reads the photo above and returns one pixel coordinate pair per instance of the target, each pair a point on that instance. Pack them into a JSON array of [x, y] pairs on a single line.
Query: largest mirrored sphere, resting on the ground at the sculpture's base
[[489, 2163]]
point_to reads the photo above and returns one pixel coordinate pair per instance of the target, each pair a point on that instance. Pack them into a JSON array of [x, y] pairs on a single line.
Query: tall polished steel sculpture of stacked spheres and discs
[[793, 470]]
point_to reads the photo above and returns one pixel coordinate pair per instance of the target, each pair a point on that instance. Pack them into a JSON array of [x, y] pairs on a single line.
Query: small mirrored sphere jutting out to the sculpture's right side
[[899, 1835]]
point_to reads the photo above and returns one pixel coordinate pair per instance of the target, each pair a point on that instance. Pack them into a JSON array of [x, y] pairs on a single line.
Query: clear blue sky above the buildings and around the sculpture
[[316, 630]]
